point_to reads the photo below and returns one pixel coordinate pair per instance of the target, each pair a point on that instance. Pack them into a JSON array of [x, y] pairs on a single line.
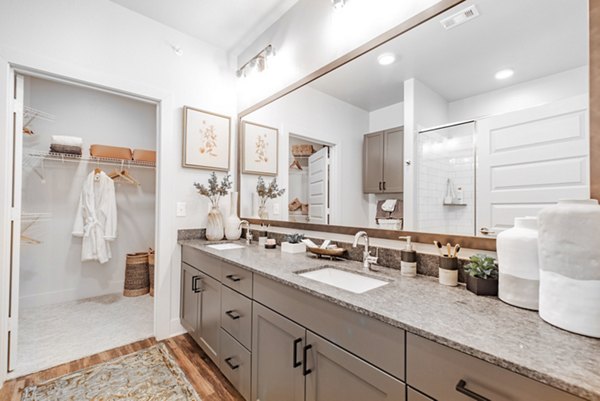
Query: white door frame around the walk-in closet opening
[[12, 62]]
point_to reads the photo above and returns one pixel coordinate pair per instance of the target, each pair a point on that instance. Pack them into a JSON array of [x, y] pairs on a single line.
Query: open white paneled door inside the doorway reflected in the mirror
[[318, 187]]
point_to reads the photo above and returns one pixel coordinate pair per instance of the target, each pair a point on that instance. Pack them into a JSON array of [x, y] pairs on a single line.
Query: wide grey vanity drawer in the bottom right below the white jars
[[447, 374]]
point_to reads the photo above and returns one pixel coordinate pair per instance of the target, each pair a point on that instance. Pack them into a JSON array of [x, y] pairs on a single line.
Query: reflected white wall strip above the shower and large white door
[[521, 96]]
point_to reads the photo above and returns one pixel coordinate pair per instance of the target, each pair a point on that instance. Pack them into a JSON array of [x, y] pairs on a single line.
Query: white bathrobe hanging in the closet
[[96, 220]]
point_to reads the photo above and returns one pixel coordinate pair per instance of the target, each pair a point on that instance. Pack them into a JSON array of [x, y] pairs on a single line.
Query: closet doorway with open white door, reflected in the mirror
[[308, 181]]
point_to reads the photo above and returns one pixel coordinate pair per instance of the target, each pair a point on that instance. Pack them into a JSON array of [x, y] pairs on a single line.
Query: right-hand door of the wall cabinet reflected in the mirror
[[393, 161]]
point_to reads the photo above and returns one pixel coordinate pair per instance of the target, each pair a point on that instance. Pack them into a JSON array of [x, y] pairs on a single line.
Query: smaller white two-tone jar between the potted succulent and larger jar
[[518, 265]]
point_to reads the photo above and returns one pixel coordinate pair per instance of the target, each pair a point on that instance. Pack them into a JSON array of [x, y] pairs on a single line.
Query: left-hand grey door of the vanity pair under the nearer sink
[[276, 357]]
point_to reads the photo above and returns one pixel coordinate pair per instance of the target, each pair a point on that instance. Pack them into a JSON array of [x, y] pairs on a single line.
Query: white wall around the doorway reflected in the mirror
[[322, 118]]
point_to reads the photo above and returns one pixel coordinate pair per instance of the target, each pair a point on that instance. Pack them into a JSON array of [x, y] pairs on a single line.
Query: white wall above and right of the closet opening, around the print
[[100, 42]]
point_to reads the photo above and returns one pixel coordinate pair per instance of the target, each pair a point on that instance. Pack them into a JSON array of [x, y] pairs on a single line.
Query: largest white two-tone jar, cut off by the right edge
[[569, 252]]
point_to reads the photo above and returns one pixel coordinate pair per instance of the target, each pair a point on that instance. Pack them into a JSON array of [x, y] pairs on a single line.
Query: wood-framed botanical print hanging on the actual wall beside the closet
[[206, 140]]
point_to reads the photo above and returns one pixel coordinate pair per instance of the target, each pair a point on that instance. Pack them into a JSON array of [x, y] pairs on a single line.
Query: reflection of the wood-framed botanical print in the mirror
[[260, 149]]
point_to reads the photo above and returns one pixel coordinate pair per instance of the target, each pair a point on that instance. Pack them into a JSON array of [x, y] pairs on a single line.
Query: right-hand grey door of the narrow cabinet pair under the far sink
[[209, 317]]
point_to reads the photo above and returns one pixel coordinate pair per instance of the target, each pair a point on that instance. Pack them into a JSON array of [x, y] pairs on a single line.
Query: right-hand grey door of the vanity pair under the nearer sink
[[336, 375]]
